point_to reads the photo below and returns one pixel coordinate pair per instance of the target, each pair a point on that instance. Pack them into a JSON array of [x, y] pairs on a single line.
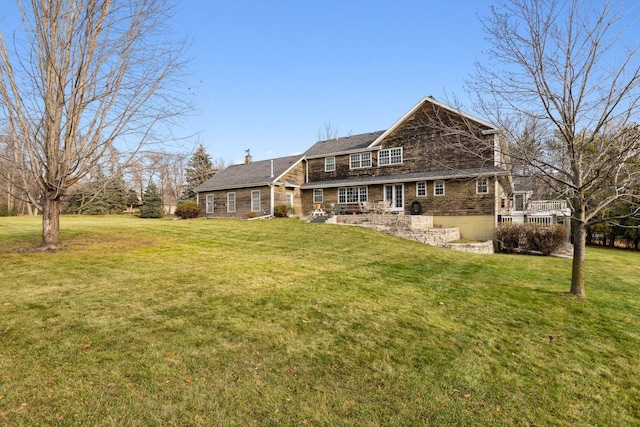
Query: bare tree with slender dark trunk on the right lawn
[[561, 82]]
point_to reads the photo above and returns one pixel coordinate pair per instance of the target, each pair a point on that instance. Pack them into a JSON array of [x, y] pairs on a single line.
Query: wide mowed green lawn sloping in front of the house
[[212, 322]]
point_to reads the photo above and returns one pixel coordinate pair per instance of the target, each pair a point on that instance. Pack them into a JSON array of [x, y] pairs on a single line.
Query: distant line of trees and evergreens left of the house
[[151, 186]]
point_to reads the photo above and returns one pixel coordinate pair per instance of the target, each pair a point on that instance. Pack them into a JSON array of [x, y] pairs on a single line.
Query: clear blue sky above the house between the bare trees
[[267, 75]]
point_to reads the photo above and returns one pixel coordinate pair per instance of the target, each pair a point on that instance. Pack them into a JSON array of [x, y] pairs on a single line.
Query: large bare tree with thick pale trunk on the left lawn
[[85, 76]]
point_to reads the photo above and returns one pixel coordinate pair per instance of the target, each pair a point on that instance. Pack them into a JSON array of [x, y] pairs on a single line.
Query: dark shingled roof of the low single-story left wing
[[249, 175]]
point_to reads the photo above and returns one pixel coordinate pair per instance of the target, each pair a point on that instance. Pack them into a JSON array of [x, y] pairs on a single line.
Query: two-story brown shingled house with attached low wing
[[434, 160]]
